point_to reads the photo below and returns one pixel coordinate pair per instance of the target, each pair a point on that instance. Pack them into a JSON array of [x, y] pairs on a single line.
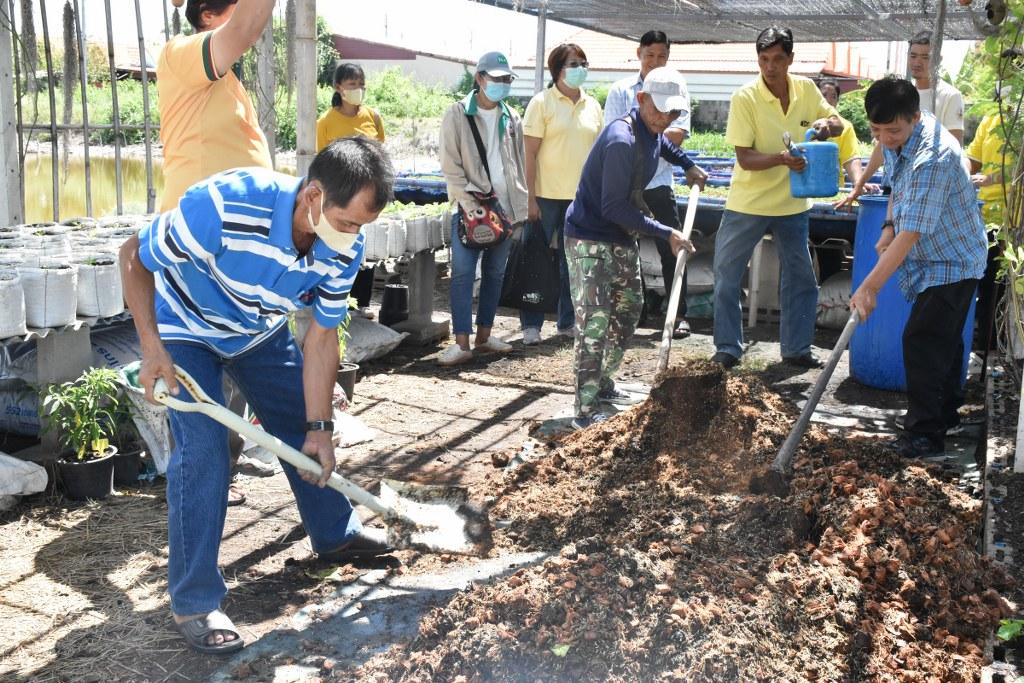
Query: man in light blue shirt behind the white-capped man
[[653, 54]]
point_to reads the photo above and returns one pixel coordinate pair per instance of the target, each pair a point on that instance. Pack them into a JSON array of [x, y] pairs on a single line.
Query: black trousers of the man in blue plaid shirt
[[933, 355]]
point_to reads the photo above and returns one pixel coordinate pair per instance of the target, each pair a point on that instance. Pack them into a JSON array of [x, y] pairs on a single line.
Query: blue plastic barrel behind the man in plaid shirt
[[877, 348]]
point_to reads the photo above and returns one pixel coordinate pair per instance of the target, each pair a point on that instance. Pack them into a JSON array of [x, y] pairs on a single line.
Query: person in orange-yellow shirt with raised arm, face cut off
[[207, 121]]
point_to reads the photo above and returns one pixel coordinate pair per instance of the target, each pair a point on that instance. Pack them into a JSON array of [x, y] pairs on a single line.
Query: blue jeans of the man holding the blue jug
[[735, 243]]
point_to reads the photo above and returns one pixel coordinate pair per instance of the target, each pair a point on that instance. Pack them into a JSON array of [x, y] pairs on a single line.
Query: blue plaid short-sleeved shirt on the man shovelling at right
[[933, 196]]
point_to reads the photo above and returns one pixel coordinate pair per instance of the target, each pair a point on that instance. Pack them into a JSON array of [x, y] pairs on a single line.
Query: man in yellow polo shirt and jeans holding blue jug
[[760, 200]]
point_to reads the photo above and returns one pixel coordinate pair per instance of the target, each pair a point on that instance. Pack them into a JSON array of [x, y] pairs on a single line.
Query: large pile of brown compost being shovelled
[[663, 567]]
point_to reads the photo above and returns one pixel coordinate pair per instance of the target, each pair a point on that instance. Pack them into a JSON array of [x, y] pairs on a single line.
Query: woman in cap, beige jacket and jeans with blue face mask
[[504, 175]]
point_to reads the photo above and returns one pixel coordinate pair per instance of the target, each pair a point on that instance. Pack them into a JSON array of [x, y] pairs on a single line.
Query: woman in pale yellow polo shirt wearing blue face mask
[[560, 129]]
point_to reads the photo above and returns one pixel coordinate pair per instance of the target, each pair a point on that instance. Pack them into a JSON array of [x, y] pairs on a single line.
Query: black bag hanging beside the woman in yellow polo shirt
[[533, 278]]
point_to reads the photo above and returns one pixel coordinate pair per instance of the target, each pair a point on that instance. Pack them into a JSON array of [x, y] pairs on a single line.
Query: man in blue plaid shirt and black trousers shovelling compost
[[935, 237]]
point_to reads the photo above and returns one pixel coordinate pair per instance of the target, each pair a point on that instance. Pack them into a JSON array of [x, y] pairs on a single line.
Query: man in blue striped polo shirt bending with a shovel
[[209, 285]]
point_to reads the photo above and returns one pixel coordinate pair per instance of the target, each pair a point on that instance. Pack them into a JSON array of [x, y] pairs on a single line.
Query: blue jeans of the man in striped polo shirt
[[271, 378]]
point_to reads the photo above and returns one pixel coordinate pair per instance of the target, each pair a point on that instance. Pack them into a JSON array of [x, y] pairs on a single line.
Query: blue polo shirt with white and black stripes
[[227, 270]]
